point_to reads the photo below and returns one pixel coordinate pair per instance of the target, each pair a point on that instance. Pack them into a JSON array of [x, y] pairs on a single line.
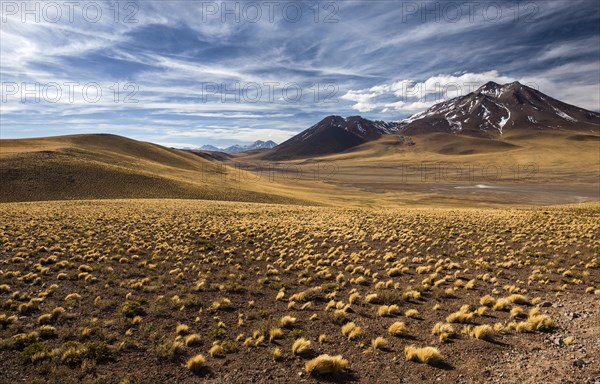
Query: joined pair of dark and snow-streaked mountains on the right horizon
[[487, 112]]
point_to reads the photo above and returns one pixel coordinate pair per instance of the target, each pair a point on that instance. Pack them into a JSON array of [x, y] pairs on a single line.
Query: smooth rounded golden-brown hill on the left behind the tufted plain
[[108, 166]]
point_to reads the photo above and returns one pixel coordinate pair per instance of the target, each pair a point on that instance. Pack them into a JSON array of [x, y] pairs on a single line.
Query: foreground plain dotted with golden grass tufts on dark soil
[[136, 291]]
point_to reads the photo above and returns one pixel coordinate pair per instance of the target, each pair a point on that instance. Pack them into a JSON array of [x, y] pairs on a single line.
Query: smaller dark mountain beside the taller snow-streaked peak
[[331, 135]]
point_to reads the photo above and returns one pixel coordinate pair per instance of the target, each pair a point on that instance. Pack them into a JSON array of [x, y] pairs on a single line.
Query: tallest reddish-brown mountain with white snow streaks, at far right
[[494, 108]]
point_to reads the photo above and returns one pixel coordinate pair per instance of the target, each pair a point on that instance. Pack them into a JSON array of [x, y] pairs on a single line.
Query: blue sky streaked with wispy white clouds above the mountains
[[211, 72]]
